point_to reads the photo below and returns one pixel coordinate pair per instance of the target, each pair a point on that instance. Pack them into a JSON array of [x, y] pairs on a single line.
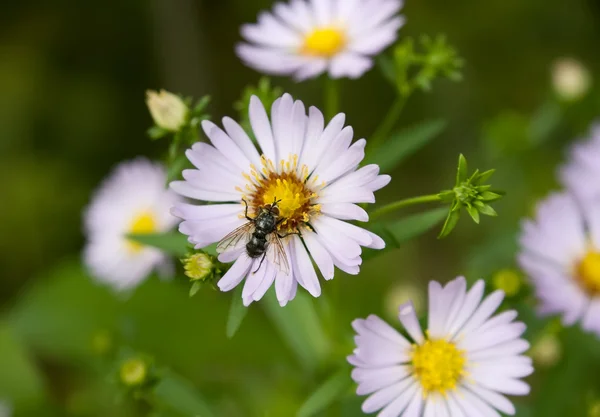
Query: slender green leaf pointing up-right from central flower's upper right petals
[[404, 143]]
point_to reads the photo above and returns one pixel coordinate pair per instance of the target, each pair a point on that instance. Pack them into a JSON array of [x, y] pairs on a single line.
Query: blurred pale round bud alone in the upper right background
[[570, 79]]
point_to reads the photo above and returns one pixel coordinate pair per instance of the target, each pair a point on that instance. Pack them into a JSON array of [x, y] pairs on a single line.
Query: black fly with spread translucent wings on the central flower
[[260, 237]]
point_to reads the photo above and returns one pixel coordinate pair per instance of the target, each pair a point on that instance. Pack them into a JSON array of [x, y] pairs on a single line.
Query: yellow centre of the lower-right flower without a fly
[[439, 365]]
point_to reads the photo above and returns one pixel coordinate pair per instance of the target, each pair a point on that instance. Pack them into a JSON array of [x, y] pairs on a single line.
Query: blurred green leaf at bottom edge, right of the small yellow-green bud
[[175, 393]]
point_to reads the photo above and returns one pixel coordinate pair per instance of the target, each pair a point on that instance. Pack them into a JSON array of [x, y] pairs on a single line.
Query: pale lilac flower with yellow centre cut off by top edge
[[305, 38]]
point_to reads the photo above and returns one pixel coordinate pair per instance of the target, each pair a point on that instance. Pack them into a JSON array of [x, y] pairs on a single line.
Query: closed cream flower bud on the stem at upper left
[[167, 109]]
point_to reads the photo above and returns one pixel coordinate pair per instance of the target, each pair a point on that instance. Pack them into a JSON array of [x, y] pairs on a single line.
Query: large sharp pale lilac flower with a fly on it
[[308, 169]]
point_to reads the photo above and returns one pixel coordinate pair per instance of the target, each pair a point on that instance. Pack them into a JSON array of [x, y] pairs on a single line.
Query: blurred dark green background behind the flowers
[[73, 76]]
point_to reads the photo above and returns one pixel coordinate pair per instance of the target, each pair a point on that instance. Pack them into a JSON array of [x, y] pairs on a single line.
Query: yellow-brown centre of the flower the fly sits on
[[289, 185]]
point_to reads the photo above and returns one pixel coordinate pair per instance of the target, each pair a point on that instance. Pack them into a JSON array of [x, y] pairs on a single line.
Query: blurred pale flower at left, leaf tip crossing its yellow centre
[[132, 200]]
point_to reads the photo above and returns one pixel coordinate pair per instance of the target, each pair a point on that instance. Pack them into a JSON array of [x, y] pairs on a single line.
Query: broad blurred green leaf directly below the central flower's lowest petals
[[300, 327]]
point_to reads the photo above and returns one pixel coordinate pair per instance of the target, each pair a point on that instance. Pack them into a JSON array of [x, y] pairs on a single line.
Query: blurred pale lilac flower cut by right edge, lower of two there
[[560, 252]]
